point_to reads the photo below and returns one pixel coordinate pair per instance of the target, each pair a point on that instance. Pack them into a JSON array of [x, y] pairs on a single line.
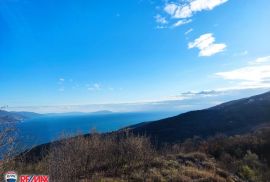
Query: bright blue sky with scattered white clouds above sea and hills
[[55, 54]]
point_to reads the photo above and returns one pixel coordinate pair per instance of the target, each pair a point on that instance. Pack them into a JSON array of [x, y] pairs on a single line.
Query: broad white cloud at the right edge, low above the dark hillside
[[256, 75]]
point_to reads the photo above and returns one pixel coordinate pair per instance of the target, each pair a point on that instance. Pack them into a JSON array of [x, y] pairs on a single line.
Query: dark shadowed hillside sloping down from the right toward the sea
[[230, 118]]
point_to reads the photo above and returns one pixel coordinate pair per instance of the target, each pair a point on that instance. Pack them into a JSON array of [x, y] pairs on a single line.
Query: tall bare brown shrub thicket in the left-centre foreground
[[81, 157]]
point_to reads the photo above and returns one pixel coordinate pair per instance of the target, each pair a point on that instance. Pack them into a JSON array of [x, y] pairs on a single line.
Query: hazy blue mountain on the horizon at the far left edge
[[11, 117]]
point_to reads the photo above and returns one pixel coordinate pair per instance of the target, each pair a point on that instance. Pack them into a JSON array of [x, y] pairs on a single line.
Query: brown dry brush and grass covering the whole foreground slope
[[133, 158]]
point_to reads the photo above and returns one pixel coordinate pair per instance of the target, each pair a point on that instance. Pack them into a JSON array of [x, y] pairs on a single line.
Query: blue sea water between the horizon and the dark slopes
[[45, 129]]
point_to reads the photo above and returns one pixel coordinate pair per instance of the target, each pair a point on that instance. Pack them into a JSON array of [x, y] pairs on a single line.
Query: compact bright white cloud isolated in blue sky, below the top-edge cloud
[[207, 46]]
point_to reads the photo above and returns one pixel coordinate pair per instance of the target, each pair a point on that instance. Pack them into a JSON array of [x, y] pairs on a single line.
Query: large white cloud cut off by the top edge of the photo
[[187, 9]]
